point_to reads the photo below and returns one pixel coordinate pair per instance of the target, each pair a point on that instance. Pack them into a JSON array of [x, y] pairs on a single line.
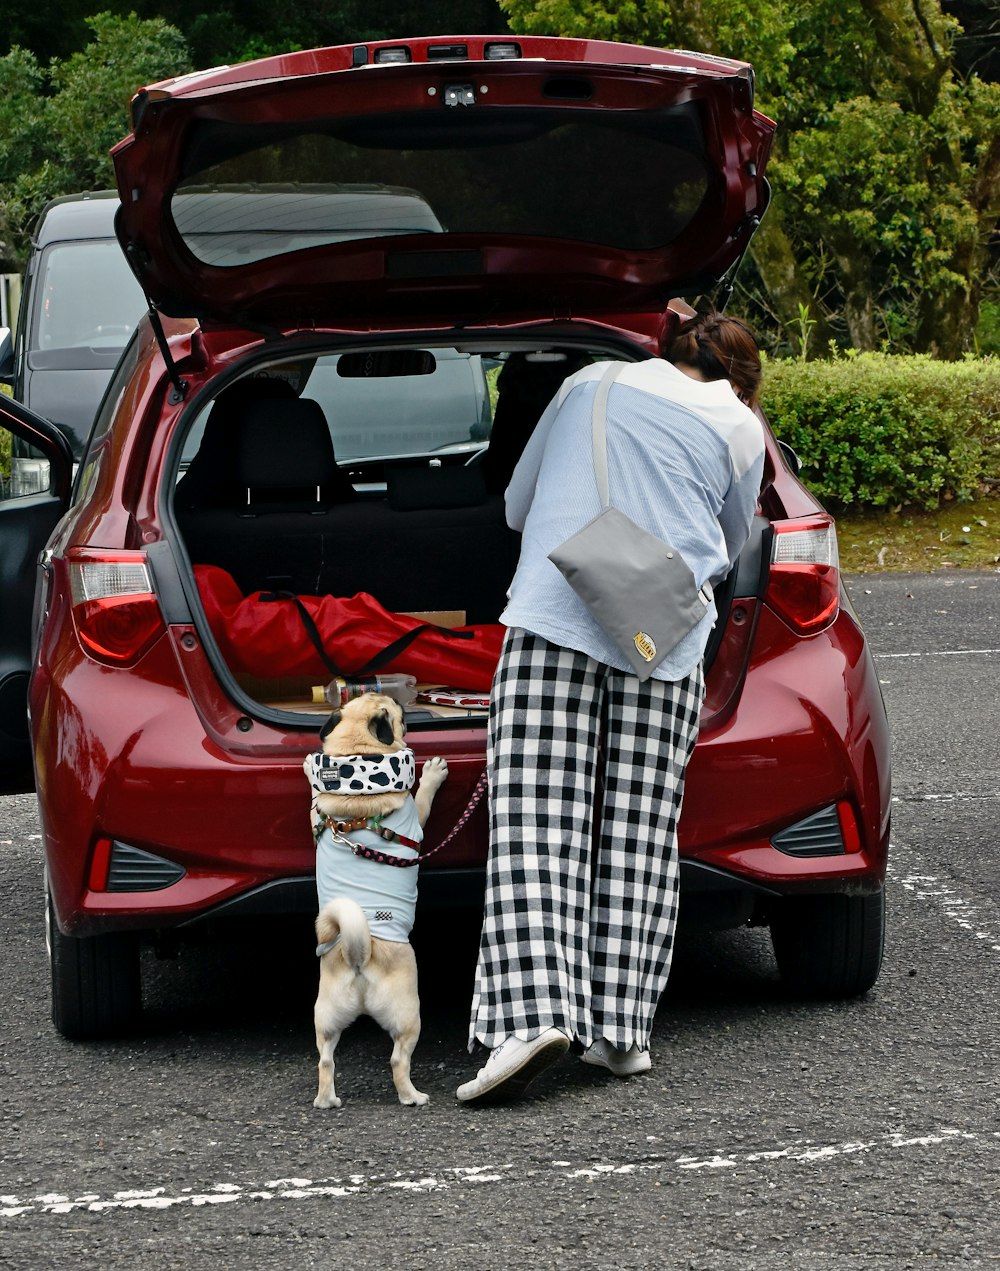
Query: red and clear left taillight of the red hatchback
[[115, 607]]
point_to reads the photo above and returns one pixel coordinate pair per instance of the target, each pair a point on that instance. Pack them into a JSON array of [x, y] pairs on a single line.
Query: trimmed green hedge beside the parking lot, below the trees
[[875, 430]]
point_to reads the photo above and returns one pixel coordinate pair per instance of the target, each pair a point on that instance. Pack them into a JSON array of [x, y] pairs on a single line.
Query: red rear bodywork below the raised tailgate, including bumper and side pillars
[[171, 759]]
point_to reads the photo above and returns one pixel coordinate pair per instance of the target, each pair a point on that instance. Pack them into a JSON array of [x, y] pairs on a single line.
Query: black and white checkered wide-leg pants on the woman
[[583, 887]]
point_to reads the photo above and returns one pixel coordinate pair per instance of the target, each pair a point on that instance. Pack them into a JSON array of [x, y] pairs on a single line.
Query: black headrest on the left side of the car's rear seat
[[285, 445]]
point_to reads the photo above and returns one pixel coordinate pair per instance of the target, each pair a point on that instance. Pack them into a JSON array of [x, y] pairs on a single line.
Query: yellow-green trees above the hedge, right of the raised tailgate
[[886, 168]]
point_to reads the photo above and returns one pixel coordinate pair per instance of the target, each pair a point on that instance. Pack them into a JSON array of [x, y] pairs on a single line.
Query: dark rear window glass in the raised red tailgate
[[625, 180]]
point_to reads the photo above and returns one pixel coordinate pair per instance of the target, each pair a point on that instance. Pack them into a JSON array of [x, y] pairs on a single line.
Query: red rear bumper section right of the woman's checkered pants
[[810, 733]]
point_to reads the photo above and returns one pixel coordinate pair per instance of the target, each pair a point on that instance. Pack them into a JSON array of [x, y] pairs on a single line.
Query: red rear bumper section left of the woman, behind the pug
[[134, 761]]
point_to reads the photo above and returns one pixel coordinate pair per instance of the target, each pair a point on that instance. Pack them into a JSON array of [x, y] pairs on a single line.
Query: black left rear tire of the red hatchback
[[96, 983]]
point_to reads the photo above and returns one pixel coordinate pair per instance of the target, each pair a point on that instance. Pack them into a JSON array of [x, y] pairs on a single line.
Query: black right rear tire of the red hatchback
[[830, 946]]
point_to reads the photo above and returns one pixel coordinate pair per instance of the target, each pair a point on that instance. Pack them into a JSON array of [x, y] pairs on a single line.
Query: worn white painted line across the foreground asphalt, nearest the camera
[[802, 1152]]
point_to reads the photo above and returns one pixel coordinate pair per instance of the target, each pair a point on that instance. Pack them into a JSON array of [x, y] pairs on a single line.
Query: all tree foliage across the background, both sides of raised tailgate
[[882, 233]]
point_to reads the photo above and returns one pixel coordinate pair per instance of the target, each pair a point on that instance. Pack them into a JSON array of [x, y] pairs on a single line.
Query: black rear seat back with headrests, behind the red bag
[[436, 542]]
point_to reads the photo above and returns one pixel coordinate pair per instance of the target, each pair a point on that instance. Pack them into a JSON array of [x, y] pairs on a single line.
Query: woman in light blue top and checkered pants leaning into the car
[[583, 878]]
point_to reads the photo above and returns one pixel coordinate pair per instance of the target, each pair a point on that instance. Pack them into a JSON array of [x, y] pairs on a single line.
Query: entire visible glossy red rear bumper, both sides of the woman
[[167, 763]]
